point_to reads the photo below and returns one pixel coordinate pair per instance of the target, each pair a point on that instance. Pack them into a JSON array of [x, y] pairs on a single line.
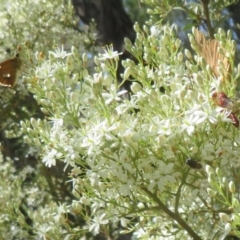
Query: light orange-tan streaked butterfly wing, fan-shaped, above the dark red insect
[[209, 50]]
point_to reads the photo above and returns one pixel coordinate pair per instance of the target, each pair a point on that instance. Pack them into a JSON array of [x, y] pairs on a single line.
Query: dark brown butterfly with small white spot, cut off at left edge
[[9, 70]]
